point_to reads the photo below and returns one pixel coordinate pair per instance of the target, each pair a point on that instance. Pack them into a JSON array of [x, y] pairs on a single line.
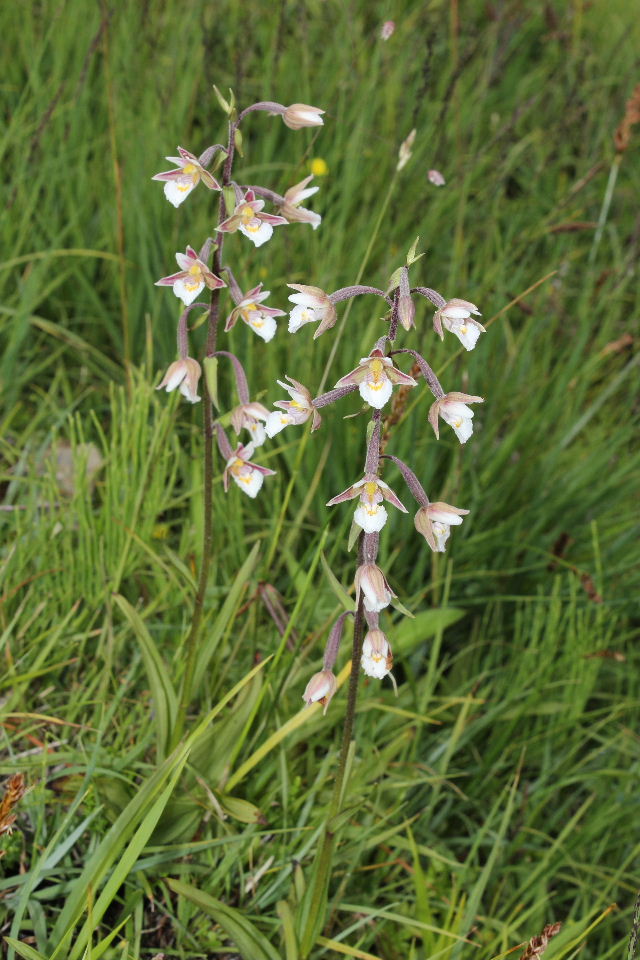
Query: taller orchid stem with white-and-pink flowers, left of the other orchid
[[240, 210]]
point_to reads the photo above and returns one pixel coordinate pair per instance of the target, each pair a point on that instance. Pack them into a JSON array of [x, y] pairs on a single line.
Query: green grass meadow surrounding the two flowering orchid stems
[[499, 792]]
